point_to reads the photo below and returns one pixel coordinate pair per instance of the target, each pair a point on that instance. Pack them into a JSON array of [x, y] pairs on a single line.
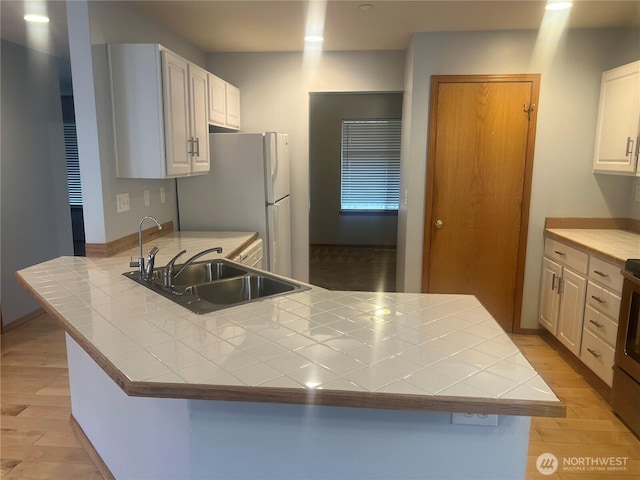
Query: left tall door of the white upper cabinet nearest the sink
[[176, 114]]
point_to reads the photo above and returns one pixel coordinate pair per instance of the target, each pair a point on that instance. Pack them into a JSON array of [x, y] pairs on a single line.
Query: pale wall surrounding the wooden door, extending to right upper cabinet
[[563, 182]]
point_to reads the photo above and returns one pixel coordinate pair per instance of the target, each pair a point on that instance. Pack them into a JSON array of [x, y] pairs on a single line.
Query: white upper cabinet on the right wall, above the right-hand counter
[[618, 128]]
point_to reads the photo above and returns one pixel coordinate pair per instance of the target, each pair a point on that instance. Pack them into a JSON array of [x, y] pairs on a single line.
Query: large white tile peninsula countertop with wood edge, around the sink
[[379, 350]]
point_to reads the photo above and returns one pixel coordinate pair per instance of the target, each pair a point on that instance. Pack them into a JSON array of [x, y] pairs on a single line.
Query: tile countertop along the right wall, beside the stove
[[614, 245]]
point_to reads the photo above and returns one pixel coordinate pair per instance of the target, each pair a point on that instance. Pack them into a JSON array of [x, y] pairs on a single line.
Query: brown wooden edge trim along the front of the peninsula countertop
[[335, 398]]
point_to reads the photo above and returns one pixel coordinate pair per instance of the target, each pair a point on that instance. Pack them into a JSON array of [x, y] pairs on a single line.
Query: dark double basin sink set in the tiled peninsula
[[212, 285]]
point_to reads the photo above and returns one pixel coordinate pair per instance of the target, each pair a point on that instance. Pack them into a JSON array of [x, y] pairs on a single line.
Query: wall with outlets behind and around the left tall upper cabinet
[[91, 27]]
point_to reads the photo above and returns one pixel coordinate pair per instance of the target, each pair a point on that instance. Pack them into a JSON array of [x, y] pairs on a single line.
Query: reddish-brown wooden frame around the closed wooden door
[[436, 80]]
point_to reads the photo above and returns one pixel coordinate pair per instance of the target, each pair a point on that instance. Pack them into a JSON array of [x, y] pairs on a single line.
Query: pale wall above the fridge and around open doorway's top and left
[[275, 91]]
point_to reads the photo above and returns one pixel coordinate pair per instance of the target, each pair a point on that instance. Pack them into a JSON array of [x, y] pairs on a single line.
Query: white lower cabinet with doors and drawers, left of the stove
[[579, 304]]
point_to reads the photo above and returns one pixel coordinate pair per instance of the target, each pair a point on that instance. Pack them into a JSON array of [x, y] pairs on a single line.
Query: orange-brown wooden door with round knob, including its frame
[[481, 138]]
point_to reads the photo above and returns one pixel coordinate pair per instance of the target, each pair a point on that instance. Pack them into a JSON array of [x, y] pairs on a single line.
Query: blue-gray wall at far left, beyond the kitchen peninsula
[[36, 219]]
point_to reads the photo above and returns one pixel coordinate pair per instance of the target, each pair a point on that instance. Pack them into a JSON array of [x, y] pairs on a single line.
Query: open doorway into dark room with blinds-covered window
[[350, 248]]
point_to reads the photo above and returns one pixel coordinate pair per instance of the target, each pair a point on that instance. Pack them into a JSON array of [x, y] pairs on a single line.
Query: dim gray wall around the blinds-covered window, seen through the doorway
[[326, 224]]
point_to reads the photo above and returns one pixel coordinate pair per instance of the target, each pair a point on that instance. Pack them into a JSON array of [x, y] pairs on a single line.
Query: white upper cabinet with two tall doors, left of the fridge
[[160, 112]]
